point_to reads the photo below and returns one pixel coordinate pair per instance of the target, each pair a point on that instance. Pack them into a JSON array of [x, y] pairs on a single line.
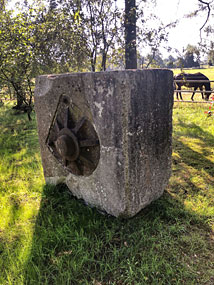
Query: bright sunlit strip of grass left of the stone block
[[21, 185]]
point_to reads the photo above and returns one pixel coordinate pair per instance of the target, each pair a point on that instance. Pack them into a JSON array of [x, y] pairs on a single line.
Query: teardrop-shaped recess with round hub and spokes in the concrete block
[[73, 140]]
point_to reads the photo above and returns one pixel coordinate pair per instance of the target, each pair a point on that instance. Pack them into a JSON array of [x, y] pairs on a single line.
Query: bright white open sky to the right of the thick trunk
[[187, 31]]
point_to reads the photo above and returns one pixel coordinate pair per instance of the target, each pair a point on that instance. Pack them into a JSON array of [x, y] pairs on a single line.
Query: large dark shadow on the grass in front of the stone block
[[74, 244]]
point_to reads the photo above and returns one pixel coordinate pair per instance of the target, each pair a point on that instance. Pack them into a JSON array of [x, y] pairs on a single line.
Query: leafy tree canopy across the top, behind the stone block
[[71, 36]]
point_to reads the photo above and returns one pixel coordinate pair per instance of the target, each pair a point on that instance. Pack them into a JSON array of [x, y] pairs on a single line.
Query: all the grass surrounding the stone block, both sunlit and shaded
[[49, 237]]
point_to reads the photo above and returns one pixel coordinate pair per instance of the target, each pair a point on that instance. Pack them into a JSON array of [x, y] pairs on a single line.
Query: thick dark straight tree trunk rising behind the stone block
[[130, 35]]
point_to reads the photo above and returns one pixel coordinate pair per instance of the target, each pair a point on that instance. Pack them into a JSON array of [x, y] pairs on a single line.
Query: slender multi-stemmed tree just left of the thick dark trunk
[[102, 19]]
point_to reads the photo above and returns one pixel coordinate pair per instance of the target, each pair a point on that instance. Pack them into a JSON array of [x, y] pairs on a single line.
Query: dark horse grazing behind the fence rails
[[194, 76]]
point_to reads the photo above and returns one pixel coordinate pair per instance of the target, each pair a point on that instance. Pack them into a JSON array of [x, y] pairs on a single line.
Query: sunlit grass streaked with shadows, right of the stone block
[[193, 150]]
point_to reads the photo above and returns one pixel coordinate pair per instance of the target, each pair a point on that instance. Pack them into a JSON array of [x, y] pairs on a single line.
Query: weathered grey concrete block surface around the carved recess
[[131, 112]]
